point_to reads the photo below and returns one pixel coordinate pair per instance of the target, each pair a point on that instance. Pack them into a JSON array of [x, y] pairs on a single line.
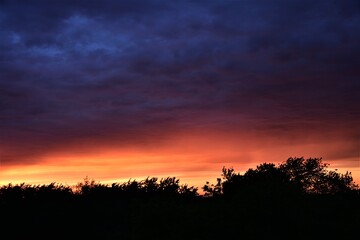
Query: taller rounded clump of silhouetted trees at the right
[[294, 176]]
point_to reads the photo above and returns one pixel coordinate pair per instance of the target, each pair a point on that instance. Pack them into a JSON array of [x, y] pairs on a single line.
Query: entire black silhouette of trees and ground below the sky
[[298, 198]]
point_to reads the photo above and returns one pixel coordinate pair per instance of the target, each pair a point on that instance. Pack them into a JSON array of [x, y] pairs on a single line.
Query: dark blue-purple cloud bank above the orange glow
[[127, 71]]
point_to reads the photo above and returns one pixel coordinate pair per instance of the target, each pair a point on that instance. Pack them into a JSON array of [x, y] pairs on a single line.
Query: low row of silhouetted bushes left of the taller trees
[[89, 188]]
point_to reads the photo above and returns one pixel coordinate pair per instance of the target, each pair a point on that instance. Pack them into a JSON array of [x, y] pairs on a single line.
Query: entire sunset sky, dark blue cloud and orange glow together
[[113, 90]]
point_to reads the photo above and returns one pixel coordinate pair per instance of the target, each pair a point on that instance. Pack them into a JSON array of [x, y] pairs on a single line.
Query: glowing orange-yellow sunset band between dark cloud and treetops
[[193, 158]]
